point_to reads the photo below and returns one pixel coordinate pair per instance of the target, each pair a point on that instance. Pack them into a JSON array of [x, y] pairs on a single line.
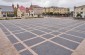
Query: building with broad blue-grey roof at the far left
[[7, 11]]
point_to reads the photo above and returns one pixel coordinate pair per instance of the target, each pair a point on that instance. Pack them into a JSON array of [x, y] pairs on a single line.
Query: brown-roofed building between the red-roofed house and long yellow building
[[36, 11]]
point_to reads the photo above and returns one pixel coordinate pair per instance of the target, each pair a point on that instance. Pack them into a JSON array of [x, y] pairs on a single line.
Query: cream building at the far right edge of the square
[[79, 12]]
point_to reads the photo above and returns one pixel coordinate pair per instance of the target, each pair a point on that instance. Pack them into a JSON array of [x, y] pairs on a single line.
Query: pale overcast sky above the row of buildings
[[45, 3]]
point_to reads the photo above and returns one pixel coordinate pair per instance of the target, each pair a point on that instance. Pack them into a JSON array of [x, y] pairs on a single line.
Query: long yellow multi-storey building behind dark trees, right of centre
[[56, 10]]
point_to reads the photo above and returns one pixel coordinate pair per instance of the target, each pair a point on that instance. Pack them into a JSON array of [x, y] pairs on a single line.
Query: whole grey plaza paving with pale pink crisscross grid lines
[[47, 36]]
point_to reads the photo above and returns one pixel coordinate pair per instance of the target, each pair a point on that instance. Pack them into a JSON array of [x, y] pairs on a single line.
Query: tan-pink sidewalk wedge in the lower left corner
[[6, 47]]
